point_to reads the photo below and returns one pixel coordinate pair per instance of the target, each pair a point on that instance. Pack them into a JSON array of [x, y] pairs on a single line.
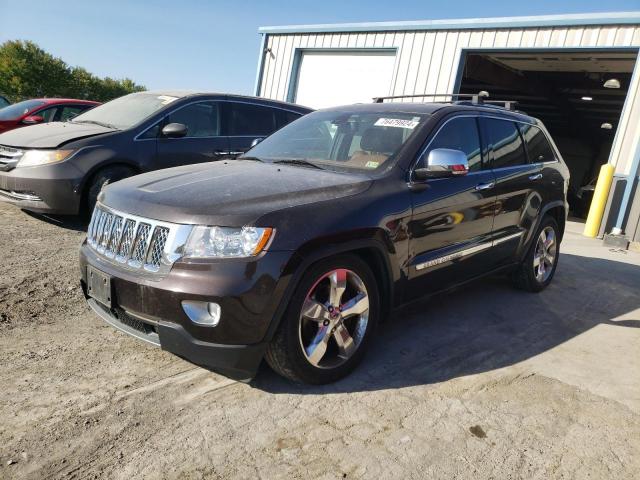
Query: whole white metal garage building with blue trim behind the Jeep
[[578, 73]]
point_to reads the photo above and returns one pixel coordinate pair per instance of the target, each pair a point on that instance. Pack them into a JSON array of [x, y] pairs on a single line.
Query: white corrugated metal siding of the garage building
[[428, 61]]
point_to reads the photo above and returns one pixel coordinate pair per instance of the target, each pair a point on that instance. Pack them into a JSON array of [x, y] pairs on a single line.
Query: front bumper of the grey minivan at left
[[47, 188]]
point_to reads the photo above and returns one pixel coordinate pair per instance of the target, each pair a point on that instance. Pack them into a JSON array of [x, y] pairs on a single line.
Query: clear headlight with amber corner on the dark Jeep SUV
[[225, 242]]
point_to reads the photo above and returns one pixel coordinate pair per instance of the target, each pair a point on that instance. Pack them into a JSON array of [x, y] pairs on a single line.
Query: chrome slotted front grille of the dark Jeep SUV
[[135, 243]]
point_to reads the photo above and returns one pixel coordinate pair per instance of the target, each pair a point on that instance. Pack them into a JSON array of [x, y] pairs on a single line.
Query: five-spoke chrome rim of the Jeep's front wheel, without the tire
[[334, 318]]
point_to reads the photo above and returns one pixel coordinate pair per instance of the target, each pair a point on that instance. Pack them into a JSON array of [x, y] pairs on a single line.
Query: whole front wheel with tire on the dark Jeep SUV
[[329, 323]]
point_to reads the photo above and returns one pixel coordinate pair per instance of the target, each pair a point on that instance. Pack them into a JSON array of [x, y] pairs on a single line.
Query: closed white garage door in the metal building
[[327, 79]]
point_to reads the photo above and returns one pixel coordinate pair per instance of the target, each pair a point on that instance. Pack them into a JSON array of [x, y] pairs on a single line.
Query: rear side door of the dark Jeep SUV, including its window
[[518, 182]]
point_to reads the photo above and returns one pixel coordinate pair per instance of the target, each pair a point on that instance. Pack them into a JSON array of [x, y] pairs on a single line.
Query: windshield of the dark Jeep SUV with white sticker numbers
[[340, 140]]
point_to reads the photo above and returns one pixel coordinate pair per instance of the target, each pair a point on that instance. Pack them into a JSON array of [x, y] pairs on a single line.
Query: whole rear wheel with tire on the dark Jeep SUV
[[535, 273]]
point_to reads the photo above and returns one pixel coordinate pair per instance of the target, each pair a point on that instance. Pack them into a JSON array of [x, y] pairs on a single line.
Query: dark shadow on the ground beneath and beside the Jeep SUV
[[486, 325]]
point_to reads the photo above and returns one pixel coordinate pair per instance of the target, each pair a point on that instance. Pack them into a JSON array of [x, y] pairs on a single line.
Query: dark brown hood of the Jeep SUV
[[227, 193]]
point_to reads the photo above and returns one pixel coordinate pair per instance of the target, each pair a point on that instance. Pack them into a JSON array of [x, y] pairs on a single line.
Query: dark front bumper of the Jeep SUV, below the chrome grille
[[248, 291]]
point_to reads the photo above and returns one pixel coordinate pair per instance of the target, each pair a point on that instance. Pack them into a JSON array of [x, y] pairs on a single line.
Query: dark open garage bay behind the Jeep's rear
[[578, 95]]
